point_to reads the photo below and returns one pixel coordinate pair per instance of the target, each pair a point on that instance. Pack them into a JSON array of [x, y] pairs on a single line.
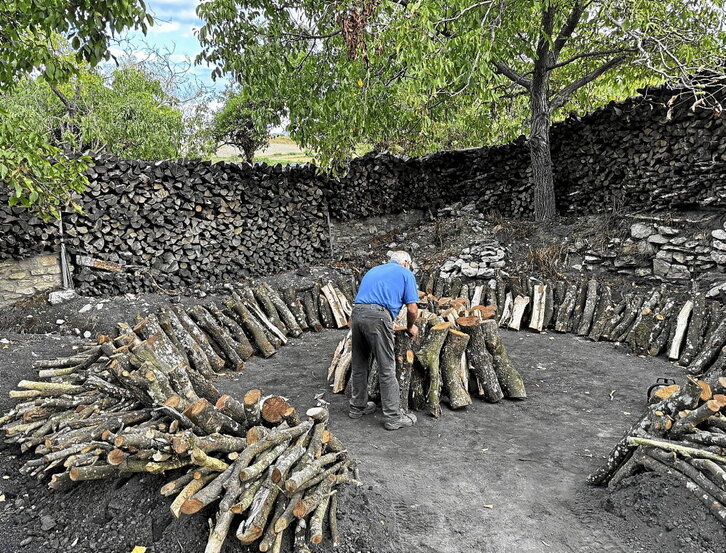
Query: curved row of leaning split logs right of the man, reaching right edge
[[685, 327]]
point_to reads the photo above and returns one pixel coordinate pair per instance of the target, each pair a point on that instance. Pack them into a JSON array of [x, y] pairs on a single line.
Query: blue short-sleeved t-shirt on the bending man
[[390, 285]]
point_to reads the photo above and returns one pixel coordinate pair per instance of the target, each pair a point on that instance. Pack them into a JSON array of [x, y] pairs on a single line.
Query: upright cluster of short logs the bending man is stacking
[[458, 354]]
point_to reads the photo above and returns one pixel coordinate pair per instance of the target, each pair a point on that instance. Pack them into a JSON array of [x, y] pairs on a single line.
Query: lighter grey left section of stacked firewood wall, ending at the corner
[[239, 221]]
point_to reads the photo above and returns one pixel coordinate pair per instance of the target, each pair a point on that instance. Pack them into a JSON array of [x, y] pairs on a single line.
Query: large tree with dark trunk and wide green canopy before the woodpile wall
[[395, 71]]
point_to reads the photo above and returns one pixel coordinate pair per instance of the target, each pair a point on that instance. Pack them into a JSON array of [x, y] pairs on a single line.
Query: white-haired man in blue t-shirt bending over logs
[[382, 292]]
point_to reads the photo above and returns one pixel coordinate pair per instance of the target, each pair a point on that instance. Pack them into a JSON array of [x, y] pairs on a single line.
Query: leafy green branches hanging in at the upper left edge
[[38, 174]]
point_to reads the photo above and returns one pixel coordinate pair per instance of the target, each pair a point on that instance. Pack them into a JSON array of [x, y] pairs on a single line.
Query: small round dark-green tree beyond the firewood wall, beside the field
[[244, 123]]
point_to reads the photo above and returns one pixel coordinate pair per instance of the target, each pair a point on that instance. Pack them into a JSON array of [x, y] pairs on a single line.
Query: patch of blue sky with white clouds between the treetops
[[175, 23]]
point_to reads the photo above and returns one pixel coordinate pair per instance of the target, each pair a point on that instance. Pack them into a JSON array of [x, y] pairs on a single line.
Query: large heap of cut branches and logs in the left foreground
[[144, 402]]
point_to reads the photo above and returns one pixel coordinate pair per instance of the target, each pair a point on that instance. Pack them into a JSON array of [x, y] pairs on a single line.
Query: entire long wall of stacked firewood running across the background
[[243, 220]]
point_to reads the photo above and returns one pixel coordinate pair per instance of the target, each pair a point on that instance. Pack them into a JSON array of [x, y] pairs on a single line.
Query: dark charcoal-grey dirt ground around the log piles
[[489, 478]]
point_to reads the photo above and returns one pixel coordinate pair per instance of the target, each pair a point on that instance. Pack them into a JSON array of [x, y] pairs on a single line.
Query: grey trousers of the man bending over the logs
[[372, 337]]
